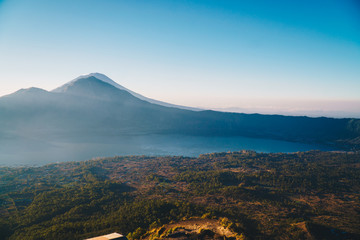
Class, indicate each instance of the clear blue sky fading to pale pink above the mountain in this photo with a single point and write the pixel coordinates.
(281, 55)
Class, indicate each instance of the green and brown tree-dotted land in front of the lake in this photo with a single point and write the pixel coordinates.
(304, 195)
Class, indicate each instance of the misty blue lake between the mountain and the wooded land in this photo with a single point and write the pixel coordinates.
(15, 152)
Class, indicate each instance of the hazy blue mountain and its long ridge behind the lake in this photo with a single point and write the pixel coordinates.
(88, 109)
